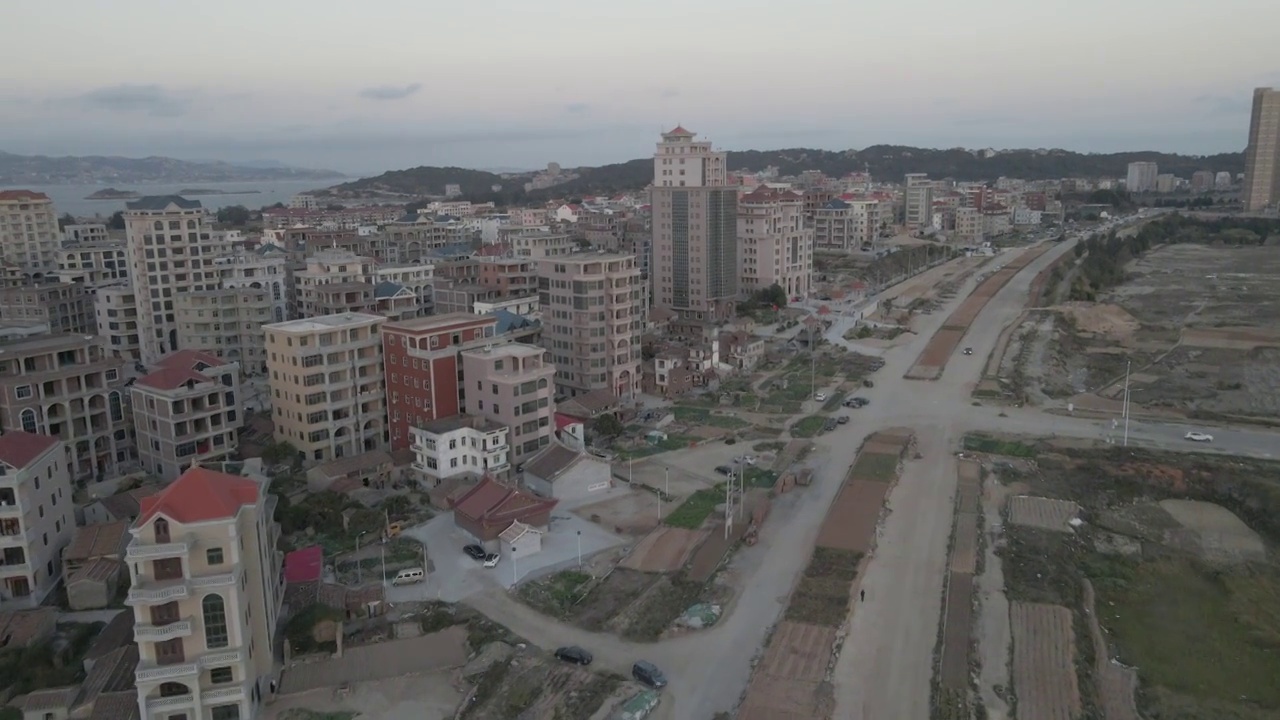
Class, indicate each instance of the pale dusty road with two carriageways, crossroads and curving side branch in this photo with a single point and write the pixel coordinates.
(886, 666)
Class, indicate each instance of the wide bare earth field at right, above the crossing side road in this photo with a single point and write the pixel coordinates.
(1201, 325)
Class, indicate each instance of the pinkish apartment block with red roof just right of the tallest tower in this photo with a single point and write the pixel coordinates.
(775, 245)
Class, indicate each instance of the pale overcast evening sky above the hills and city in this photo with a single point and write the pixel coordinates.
(378, 85)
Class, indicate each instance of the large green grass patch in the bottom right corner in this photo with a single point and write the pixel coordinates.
(1199, 632)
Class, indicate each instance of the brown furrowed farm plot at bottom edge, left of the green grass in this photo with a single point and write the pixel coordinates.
(1045, 662)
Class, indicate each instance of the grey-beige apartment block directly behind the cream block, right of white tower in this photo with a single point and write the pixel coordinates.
(228, 323)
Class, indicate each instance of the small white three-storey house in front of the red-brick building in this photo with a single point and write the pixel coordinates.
(460, 446)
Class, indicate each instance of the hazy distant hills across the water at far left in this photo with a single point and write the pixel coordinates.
(43, 170)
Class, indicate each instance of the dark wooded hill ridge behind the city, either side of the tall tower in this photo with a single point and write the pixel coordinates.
(885, 162)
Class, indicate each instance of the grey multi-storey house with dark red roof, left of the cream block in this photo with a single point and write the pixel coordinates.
(188, 411)
